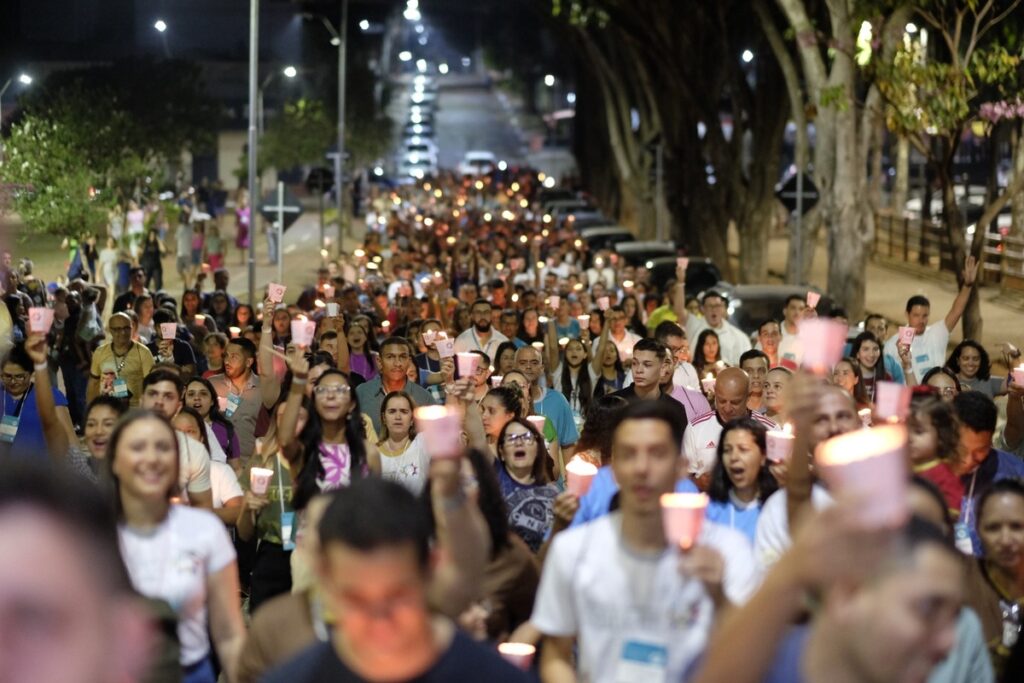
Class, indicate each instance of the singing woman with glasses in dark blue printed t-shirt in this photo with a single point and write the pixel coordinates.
(525, 473)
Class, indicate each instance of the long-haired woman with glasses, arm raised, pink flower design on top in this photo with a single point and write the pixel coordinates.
(332, 450)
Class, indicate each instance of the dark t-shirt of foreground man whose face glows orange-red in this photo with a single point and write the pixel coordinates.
(464, 662)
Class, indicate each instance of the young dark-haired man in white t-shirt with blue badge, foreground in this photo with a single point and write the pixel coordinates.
(638, 609)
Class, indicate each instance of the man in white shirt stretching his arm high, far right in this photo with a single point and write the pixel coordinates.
(930, 341)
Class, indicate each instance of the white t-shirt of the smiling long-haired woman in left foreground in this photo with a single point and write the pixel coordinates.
(174, 563)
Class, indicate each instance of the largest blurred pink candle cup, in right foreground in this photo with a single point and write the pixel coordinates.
(870, 465)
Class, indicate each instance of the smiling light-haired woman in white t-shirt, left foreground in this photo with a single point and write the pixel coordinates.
(175, 553)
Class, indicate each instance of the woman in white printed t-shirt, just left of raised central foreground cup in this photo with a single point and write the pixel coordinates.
(404, 458)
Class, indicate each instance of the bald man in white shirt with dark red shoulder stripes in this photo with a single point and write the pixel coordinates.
(733, 391)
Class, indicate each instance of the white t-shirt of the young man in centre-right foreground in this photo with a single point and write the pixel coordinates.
(619, 604)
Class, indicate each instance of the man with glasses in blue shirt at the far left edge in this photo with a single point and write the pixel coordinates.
(22, 430)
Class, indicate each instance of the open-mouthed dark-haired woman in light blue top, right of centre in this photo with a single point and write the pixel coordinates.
(741, 482)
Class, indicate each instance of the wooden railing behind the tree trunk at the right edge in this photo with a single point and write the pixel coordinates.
(926, 245)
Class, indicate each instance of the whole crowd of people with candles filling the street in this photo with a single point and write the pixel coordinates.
(200, 488)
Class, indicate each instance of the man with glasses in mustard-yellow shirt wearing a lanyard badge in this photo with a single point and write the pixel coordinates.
(119, 366)
